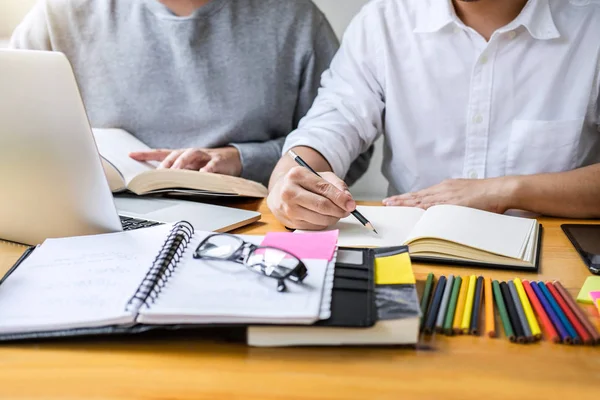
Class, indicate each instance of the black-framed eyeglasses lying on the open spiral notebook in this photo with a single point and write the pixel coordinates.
(268, 261)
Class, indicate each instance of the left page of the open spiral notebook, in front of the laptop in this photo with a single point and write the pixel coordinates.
(78, 282)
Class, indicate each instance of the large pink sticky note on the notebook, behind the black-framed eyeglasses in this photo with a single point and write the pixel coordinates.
(315, 245)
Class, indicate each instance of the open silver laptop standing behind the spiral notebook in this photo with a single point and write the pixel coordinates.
(52, 183)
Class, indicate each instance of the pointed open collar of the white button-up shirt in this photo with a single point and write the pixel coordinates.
(536, 17)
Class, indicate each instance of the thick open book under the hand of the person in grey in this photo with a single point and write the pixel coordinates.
(124, 173)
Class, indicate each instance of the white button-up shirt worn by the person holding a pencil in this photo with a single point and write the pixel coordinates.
(452, 105)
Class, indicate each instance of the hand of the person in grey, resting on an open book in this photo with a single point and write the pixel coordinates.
(225, 160)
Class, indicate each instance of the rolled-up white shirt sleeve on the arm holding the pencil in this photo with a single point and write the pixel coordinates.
(347, 116)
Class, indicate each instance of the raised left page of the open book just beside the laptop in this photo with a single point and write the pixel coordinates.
(115, 145)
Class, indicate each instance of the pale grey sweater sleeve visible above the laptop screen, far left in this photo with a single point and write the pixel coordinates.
(33, 32)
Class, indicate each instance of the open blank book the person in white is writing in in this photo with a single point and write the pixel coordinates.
(449, 234)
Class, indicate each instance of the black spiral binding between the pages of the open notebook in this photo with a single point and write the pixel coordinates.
(163, 266)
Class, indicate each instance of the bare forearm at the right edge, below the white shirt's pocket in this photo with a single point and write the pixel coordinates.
(573, 194)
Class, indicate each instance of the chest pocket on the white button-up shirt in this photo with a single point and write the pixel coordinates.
(537, 147)
